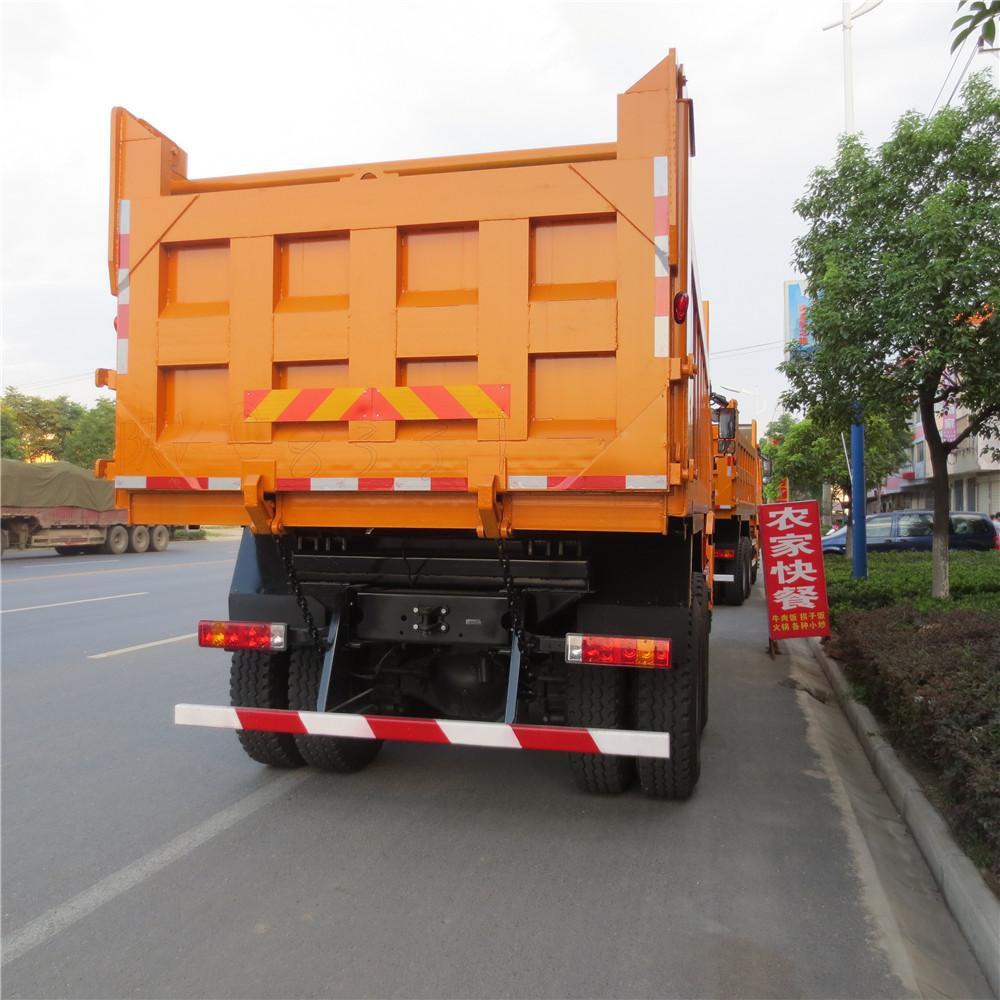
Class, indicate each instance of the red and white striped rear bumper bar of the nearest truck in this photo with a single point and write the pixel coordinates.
(625, 743)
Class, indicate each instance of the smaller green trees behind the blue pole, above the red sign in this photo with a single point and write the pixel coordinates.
(810, 454)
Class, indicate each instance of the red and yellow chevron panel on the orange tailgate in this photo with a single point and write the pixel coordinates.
(400, 402)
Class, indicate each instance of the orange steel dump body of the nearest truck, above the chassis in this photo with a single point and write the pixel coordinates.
(497, 319)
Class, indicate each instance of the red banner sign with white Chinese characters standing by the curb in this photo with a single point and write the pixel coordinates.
(793, 566)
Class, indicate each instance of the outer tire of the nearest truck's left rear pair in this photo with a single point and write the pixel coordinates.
(260, 680)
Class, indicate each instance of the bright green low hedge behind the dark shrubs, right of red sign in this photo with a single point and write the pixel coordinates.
(904, 577)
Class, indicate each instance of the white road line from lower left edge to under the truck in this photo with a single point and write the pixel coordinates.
(56, 920)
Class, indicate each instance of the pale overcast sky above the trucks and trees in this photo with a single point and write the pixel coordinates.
(253, 86)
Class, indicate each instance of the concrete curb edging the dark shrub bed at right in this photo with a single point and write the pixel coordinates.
(972, 903)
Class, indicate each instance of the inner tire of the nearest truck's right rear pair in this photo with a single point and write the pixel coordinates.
(599, 697)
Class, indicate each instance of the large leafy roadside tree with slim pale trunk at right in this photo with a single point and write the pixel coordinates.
(902, 259)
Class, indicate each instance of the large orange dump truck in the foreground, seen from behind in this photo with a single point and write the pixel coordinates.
(461, 408)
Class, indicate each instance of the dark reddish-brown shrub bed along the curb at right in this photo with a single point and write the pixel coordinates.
(934, 678)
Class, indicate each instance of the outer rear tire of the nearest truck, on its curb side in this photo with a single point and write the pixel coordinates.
(668, 701)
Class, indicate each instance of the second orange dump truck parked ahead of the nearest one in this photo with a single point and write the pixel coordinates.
(738, 491)
